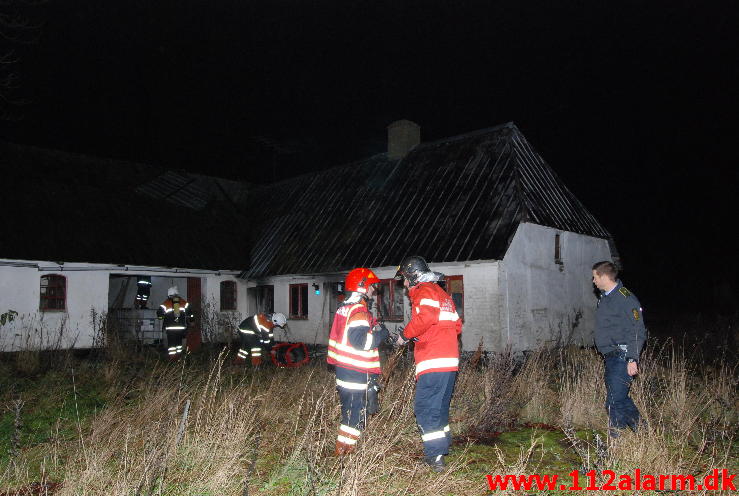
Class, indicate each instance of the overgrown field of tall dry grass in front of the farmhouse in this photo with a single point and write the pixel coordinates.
(131, 423)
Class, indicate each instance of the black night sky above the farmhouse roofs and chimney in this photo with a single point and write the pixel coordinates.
(633, 103)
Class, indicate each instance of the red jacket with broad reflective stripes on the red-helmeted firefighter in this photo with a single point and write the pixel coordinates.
(352, 344)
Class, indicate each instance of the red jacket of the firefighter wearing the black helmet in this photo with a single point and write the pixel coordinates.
(435, 324)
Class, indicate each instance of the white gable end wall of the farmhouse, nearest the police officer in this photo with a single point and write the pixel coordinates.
(549, 302)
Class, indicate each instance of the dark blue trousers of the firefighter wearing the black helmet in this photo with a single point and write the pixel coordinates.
(433, 396)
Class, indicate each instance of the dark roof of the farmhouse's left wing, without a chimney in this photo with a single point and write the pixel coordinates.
(66, 207)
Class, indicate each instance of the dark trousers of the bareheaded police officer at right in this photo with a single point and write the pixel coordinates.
(622, 411)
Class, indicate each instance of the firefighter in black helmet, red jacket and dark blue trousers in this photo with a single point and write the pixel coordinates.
(434, 326)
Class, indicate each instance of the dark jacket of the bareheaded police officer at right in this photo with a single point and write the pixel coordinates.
(619, 323)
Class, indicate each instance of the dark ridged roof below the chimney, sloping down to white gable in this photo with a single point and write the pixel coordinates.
(457, 199)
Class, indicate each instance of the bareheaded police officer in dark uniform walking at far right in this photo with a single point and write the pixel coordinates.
(619, 335)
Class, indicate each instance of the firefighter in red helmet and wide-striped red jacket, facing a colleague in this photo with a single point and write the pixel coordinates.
(352, 349)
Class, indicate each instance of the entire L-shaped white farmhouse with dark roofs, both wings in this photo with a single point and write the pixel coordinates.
(484, 208)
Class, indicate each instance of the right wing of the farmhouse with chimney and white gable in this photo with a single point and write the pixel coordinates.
(483, 208)
